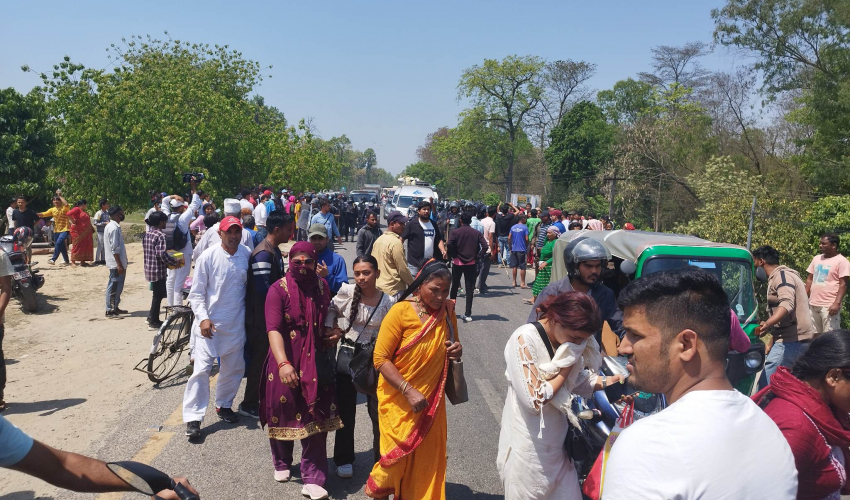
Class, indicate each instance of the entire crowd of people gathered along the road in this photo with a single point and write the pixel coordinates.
(309, 341)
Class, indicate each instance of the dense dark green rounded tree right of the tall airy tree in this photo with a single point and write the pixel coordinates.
(580, 146)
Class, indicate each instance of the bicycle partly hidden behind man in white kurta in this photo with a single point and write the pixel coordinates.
(168, 344)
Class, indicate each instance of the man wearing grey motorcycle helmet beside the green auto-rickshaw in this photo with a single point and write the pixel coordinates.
(585, 259)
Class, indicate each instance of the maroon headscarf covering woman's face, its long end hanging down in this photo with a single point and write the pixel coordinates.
(309, 297)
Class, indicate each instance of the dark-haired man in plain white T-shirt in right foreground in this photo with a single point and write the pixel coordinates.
(711, 441)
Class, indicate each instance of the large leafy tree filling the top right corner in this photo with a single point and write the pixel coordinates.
(802, 46)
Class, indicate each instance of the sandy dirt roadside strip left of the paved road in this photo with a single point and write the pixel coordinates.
(69, 368)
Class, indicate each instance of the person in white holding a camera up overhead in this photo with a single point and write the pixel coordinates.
(178, 225)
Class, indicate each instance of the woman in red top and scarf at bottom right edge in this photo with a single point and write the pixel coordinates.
(811, 405)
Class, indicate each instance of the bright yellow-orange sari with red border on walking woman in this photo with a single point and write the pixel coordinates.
(413, 445)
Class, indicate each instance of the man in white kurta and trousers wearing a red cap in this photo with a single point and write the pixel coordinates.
(218, 301)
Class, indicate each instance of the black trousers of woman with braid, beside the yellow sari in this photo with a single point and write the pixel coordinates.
(346, 399)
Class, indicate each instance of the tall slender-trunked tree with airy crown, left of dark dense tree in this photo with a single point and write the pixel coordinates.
(505, 92)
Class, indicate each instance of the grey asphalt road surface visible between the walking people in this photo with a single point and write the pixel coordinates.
(234, 460)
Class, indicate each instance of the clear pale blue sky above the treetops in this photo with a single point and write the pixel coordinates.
(383, 73)
